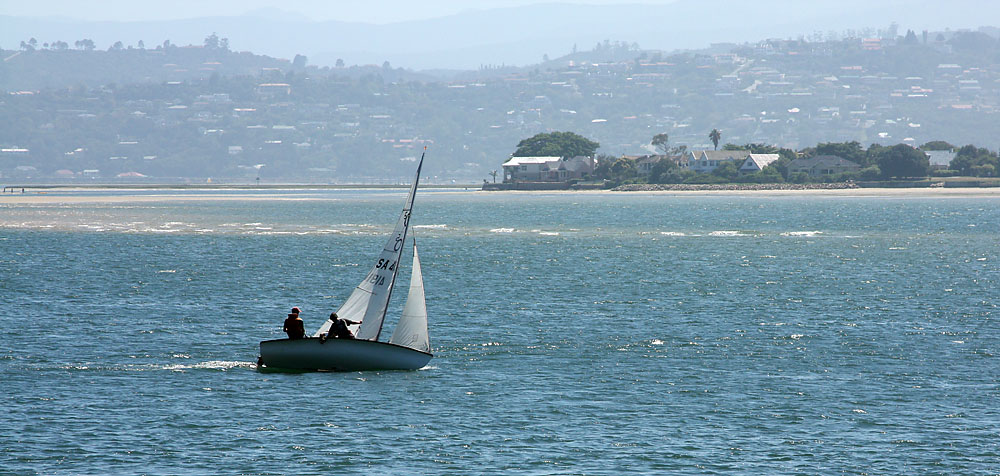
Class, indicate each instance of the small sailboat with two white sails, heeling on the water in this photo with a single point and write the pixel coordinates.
(409, 346)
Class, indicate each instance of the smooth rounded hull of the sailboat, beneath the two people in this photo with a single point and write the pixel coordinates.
(339, 355)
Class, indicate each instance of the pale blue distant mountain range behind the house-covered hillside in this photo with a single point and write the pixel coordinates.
(516, 35)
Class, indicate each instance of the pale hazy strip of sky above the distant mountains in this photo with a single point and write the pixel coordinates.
(372, 11)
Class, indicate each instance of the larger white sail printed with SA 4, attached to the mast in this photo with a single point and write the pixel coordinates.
(369, 300)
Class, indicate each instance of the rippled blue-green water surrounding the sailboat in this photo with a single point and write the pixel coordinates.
(573, 334)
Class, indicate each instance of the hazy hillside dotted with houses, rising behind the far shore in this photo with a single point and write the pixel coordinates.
(207, 111)
